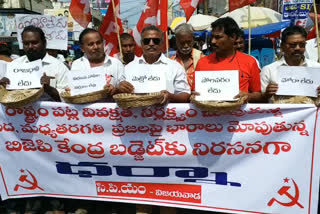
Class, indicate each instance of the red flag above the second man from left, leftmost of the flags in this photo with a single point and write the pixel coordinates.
(80, 12)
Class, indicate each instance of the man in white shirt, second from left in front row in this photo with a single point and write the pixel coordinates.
(92, 45)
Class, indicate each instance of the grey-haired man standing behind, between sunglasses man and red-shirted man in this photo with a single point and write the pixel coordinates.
(186, 55)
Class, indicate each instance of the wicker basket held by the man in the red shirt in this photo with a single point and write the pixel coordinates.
(216, 106)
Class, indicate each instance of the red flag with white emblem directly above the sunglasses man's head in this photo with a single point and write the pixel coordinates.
(154, 13)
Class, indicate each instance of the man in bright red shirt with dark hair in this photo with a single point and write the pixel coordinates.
(225, 57)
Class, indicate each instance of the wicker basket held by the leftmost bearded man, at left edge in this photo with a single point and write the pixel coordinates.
(19, 98)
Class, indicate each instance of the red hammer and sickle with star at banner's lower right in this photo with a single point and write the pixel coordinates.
(284, 191)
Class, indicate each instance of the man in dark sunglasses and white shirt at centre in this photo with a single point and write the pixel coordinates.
(178, 89)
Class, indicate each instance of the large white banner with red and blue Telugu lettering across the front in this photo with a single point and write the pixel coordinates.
(259, 159)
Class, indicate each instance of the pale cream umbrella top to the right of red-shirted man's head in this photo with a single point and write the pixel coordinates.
(259, 16)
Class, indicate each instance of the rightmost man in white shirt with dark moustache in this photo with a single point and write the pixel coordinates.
(293, 42)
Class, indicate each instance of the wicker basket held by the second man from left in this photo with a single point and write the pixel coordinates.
(85, 98)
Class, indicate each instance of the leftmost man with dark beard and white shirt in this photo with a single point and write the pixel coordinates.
(54, 77)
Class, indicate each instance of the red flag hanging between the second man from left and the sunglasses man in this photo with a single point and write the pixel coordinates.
(108, 28)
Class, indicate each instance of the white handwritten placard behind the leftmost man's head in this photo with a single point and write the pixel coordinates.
(55, 29)
